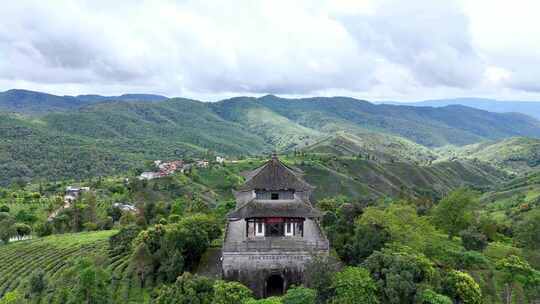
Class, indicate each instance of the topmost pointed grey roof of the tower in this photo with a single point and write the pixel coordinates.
(274, 175)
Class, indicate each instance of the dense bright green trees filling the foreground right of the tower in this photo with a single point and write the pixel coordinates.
(414, 253)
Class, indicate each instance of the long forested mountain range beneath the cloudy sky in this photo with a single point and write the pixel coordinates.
(77, 137)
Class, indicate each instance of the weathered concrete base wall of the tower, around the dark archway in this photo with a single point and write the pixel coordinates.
(254, 268)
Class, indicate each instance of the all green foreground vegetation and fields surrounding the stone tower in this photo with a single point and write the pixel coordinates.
(466, 246)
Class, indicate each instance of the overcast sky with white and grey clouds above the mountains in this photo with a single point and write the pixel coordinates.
(375, 50)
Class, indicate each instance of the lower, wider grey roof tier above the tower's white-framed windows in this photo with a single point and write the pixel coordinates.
(271, 208)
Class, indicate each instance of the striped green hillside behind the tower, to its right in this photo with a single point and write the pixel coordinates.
(361, 178)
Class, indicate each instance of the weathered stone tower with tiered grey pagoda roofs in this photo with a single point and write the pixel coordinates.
(273, 231)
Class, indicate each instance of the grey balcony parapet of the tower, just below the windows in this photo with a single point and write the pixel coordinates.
(275, 244)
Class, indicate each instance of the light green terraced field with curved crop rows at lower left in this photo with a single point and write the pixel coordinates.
(19, 259)
